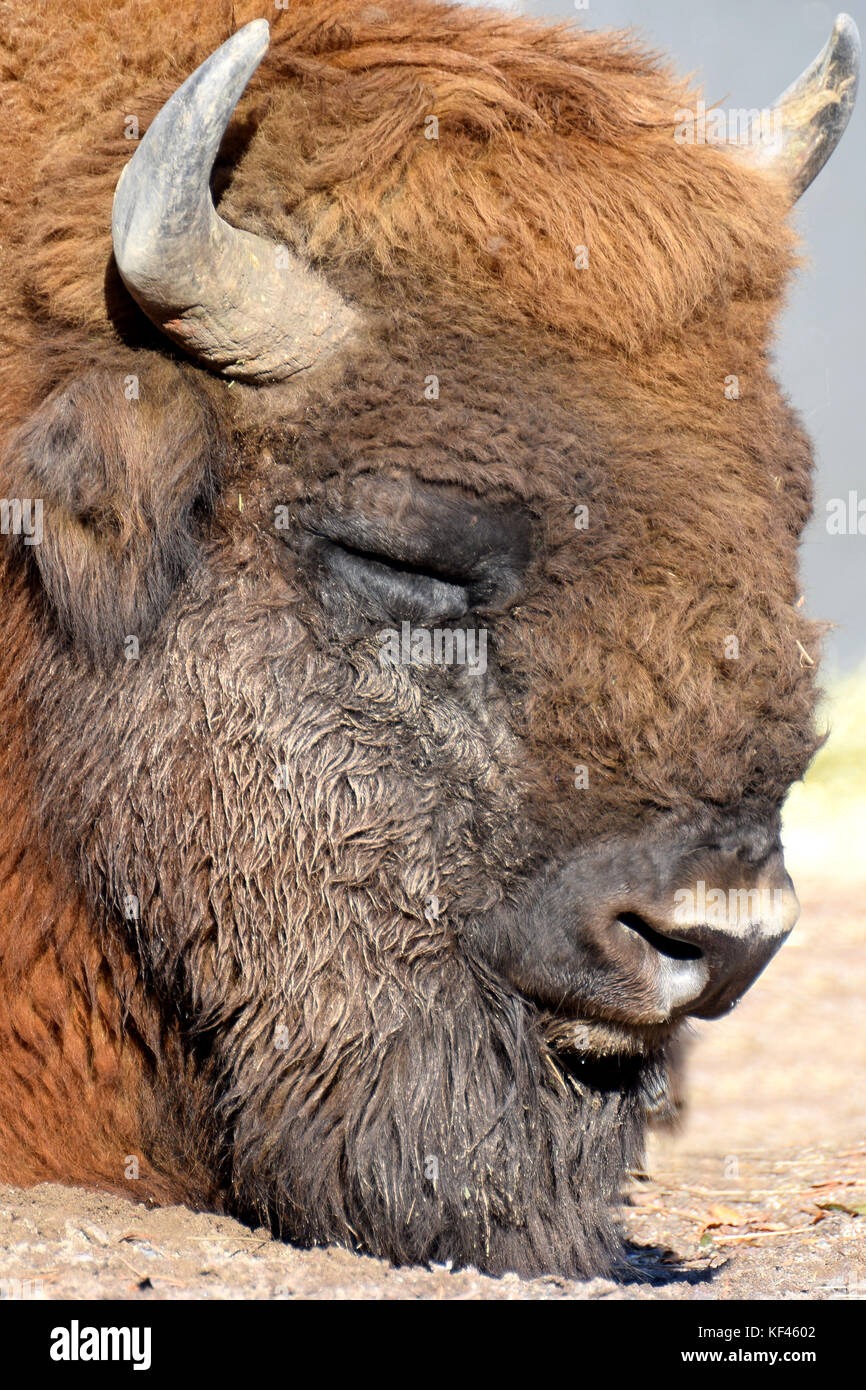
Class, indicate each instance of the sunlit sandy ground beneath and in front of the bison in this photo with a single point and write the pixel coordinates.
(761, 1195)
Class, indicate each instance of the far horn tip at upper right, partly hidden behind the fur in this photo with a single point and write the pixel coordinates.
(811, 116)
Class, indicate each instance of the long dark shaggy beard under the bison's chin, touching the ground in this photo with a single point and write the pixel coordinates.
(464, 1139)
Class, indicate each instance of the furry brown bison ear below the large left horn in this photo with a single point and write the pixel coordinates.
(120, 473)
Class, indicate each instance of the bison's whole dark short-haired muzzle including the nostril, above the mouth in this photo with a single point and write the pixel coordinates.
(647, 929)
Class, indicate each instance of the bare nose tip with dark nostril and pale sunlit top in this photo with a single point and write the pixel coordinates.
(703, 954)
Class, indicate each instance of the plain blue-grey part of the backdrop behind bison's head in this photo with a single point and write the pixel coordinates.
(746, 54)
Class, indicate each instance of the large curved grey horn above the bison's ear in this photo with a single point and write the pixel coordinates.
(237, 302)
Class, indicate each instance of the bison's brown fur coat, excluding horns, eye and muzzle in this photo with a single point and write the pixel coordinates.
(558, 387)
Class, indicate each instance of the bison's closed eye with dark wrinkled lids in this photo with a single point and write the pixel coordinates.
(401, 550)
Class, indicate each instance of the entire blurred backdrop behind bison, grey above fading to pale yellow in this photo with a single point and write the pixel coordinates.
(744, 55)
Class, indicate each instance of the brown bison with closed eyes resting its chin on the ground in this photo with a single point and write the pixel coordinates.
(402, 667)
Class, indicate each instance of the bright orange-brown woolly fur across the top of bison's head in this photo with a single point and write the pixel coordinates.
(548, 140)
